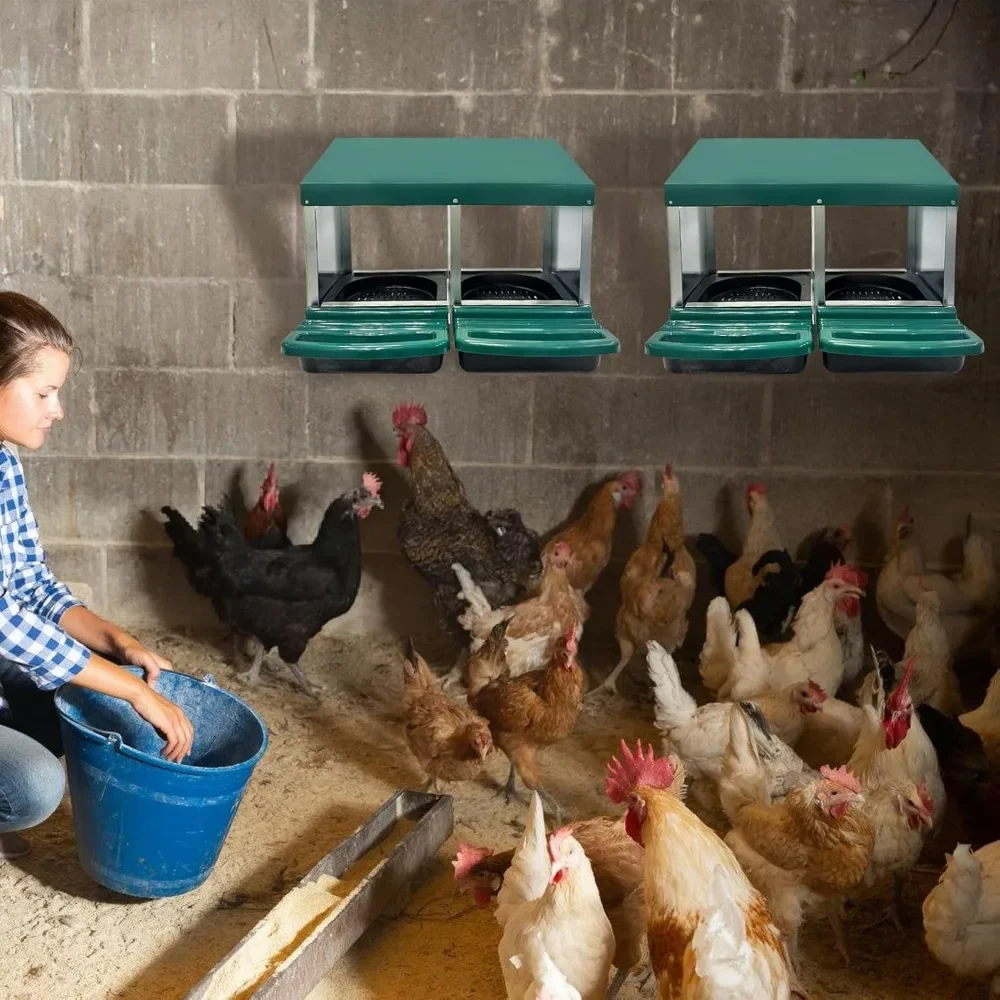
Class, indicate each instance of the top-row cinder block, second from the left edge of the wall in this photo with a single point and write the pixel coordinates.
(176, 45)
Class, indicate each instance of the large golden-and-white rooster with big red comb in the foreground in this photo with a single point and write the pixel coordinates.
(709, 931)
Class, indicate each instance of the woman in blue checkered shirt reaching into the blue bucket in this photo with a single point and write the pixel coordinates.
(47, 637)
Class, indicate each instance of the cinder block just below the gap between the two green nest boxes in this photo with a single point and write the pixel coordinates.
(632, 421)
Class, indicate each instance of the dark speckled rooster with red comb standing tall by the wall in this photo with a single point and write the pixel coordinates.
(438, 527)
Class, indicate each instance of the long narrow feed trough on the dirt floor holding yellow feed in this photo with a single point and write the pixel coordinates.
(368, 875)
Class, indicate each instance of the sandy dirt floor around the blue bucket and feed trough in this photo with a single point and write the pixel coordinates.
(329, 765)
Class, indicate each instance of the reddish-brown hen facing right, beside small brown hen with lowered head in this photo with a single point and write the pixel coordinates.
(532, 711)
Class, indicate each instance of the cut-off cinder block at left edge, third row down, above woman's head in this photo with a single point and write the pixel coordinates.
(40, 231)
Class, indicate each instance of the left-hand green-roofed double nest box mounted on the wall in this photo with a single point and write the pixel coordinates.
(505, 319)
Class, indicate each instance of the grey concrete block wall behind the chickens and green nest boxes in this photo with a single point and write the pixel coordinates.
(149, 161)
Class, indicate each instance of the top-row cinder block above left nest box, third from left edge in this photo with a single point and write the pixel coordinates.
(473, 46)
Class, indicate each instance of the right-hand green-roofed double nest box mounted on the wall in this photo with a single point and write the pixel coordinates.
(865, 320)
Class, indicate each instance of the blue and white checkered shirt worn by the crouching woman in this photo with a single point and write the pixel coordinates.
(31, 599)
